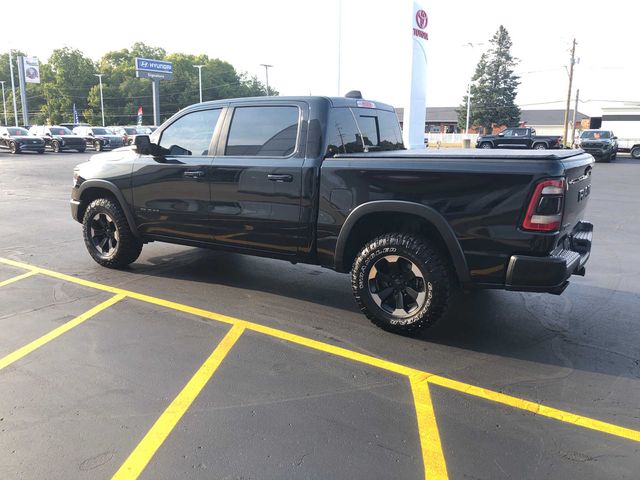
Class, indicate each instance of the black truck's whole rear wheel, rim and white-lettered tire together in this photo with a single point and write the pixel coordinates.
(401, 283)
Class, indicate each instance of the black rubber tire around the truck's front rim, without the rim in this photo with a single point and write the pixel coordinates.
(127, 248)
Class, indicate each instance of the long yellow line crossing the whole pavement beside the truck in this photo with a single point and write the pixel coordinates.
(560, 415)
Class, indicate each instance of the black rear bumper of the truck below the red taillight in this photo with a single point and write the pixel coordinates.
(551, 274)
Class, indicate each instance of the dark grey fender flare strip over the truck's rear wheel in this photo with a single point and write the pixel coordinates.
(397, 206)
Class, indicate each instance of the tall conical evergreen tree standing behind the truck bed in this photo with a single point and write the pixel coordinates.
(494, 87)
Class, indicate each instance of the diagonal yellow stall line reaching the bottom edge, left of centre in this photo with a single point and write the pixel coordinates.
(146, 449)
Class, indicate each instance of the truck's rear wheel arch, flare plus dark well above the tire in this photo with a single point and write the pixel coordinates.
(374, 218)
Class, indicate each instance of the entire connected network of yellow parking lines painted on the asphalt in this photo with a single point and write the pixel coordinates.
(419, 384)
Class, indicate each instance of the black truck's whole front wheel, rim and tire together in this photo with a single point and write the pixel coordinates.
(107, 235)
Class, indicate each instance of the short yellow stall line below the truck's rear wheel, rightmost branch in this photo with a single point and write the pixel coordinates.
(435, 466)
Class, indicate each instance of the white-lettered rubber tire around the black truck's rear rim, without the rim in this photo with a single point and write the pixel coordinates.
(437, 281)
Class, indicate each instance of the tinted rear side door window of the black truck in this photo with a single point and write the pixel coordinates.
(263, 131)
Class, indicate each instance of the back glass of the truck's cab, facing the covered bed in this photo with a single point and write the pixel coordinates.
(362, 130)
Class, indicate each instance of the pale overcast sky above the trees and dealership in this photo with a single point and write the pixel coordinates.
(311, 54)
